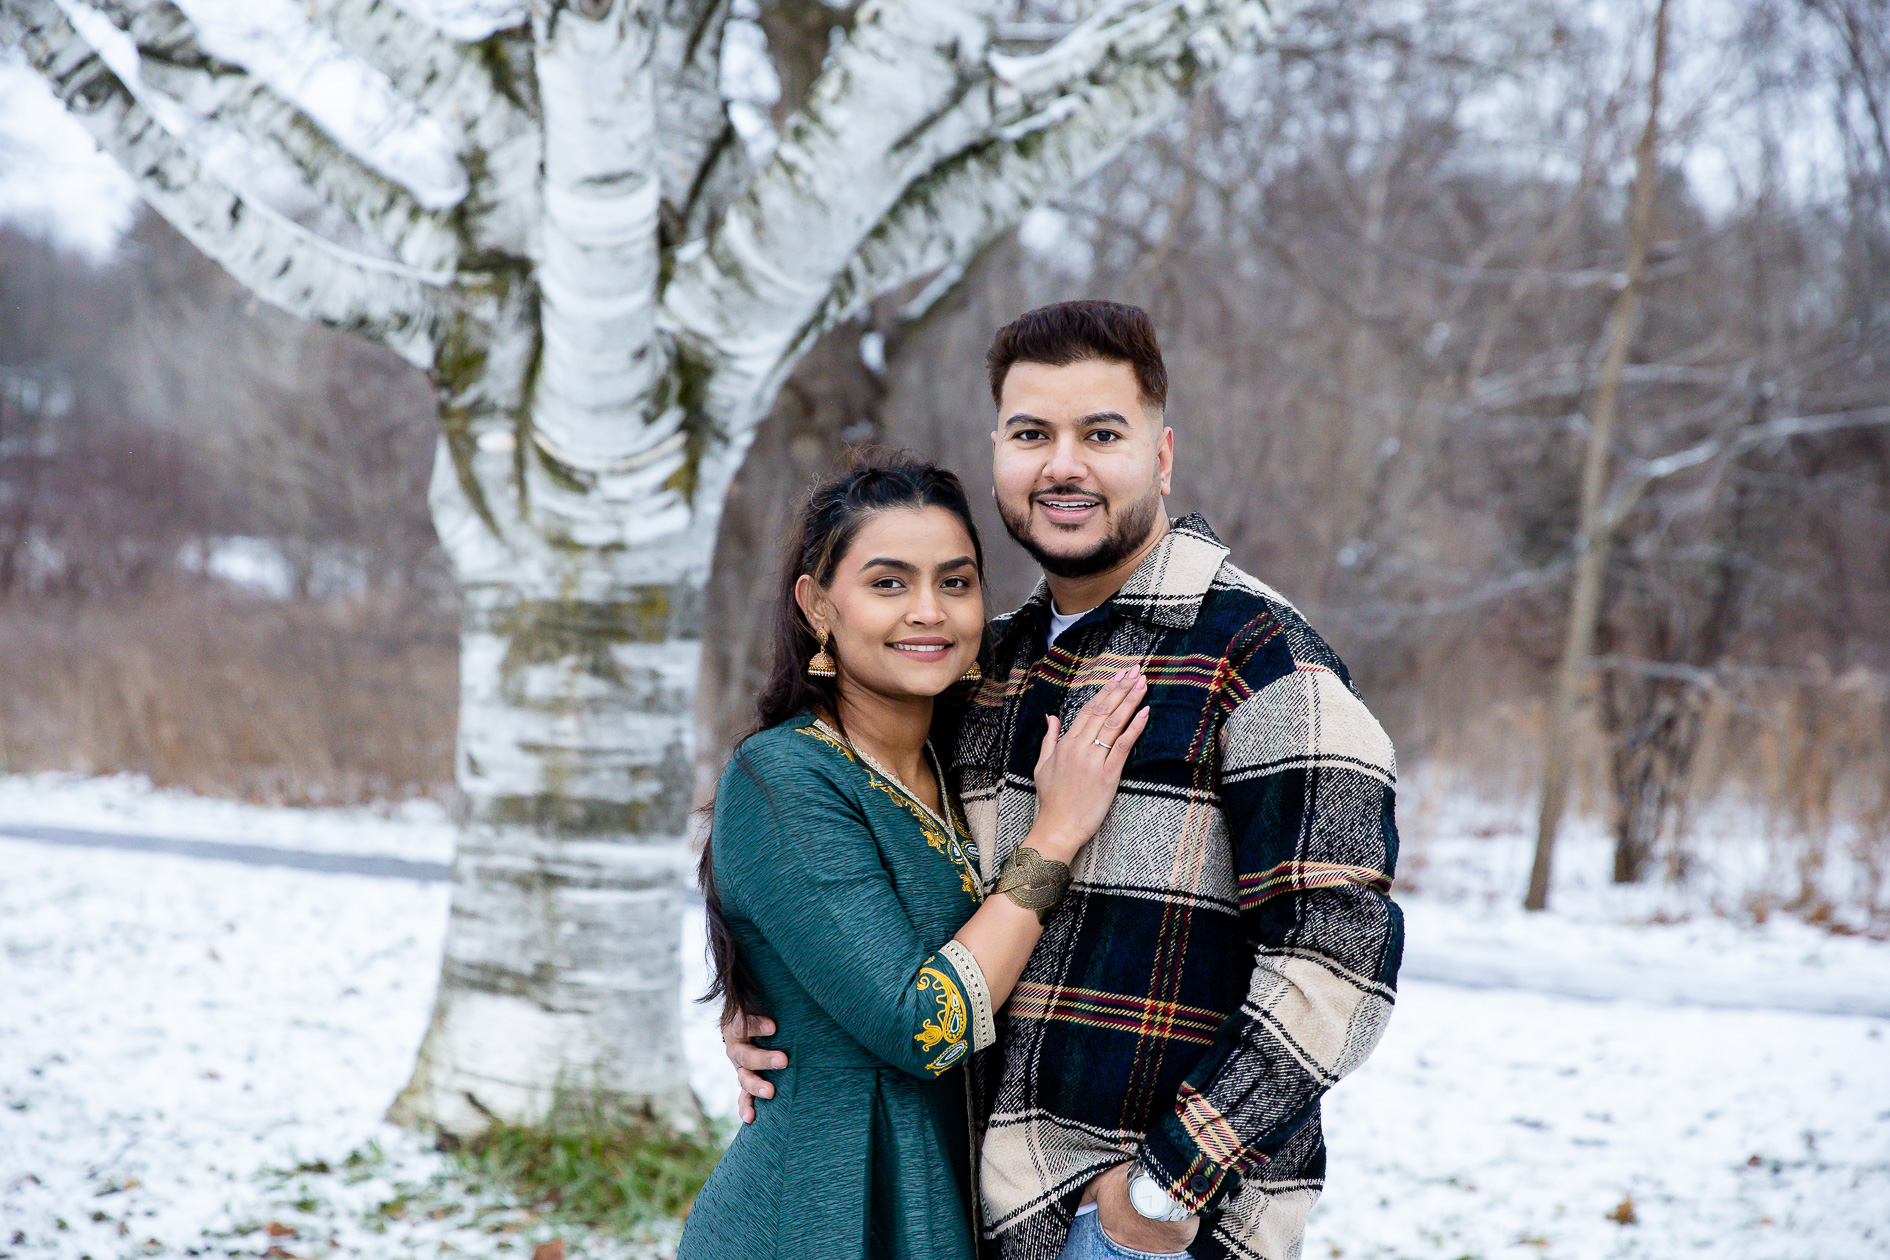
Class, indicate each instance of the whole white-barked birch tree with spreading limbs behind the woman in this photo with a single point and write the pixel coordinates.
(606, 290)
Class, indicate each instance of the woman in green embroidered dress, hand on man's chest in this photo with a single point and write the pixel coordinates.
(844, 889)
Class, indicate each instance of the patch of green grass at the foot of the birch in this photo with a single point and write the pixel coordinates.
(593, 1168)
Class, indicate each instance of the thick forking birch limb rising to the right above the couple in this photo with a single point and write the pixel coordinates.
(923, 141)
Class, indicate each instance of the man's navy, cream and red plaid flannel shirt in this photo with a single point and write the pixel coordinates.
(1228, 949)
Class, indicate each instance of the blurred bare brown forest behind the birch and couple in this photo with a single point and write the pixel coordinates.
(1383, 260)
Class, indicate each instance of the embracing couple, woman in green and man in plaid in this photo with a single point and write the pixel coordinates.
(1048, 932)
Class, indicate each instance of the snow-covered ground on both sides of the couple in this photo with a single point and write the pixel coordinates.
(179, 1036)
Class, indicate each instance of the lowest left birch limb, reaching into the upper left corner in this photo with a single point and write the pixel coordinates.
(281, 262)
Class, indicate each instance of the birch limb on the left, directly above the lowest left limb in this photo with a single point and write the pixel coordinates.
(226, 97)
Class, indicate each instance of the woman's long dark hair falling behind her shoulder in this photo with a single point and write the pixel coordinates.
(870, 481)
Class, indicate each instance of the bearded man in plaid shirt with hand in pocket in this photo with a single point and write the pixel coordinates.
(1228, 949)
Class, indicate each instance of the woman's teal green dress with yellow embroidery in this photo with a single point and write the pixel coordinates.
(844, 894)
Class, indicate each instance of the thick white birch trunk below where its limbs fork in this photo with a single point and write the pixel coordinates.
(562, 978)
